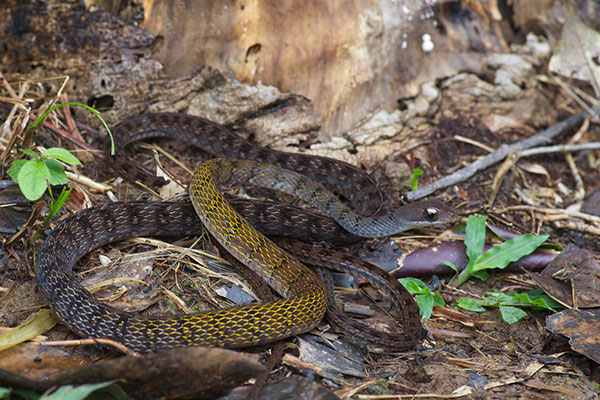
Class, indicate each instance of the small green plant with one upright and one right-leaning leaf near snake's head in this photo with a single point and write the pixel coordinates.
(497, 257)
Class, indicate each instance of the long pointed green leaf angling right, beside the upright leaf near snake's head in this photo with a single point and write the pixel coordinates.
(509, 251)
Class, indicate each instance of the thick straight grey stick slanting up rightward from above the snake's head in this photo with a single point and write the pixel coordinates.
(495, 157)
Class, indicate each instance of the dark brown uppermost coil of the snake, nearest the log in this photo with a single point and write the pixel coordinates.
(338, 177)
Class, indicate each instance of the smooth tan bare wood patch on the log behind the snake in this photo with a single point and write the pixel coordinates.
(349, 57)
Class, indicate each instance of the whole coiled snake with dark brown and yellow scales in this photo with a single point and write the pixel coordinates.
(305, 299)
